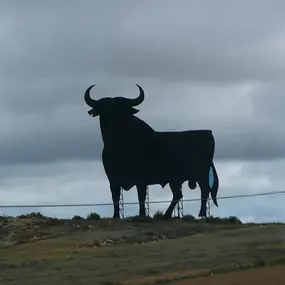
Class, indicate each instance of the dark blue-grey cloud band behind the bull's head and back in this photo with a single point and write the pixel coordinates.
(246, 126)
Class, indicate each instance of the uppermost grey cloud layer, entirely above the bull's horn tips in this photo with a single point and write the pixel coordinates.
(193, 41)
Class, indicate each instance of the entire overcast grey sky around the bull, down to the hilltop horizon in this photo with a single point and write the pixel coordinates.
(218, 65)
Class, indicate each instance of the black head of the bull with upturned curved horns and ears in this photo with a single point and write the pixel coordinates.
(117, 105)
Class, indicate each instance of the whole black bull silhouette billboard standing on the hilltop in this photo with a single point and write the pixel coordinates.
(134, 154)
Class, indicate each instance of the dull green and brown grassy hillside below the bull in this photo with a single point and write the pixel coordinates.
(45, 251)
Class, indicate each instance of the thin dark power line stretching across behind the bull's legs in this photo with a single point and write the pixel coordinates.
(135, 203)
